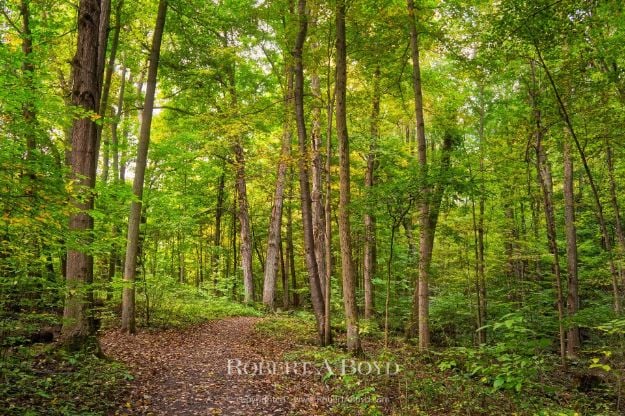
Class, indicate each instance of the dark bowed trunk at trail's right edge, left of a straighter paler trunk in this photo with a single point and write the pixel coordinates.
(316, 293)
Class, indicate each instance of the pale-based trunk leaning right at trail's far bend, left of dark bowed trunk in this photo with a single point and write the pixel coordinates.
(275, 225)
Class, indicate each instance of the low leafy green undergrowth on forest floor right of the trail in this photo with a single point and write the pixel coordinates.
(496, 380)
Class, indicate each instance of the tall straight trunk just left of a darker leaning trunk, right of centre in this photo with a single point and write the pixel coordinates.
(426, 234)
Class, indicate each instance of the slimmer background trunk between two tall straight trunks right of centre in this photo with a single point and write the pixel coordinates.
(369, 260)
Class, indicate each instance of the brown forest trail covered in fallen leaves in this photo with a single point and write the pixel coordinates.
(185, 372)
